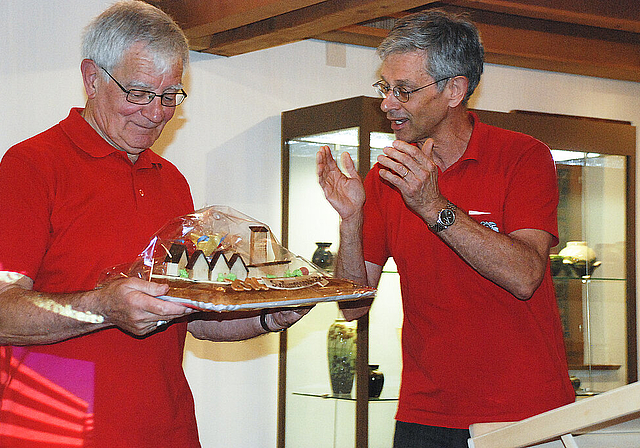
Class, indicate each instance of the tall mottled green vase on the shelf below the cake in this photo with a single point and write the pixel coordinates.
(341, 355)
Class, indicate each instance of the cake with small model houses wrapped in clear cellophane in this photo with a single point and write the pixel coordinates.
(222, 260)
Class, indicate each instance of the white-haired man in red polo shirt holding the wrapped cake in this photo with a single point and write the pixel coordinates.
(80, 197)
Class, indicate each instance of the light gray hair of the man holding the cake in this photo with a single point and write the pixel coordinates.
(108, 36)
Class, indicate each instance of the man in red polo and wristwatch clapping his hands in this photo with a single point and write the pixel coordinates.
(468, 213)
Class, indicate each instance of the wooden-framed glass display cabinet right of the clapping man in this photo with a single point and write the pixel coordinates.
(594, 264)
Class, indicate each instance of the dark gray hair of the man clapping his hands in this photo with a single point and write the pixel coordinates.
(451, 42)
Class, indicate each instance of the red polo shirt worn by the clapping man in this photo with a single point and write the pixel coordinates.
(472, 352)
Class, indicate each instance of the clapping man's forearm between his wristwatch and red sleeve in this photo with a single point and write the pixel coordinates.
(515, 262)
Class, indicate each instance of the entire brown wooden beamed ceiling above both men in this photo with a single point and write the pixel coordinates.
(589, 37)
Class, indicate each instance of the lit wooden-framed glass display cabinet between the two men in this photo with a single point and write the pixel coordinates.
(309, 414)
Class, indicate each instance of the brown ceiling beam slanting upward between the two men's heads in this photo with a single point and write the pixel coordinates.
(302, 24)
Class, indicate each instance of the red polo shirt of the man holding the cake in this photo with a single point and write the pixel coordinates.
(72, 205)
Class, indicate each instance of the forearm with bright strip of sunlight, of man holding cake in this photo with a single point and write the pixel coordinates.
(30, 317)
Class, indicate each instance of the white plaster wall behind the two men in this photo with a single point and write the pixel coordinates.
(226, 140)
